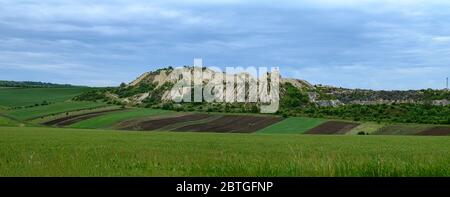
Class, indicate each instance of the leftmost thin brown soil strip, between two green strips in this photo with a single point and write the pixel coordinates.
(68, 120)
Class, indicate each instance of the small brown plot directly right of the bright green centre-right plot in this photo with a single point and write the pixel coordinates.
(333, 127)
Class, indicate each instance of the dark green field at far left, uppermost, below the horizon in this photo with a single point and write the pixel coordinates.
(14, 97)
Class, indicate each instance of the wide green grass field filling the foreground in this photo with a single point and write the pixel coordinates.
(76, 152)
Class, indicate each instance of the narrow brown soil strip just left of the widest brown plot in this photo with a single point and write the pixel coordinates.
(150, 125)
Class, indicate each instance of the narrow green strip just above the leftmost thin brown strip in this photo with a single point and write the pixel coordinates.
(55, 108)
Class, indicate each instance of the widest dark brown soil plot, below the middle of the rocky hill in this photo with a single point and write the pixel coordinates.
(233, 124)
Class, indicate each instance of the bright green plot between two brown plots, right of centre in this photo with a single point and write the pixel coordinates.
(292, 125)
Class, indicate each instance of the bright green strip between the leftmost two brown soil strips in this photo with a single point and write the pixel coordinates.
(108, 120)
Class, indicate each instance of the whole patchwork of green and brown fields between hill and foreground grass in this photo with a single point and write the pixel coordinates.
(62, 112)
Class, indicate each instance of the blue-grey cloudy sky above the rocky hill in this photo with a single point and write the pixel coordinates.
(370, 44)
